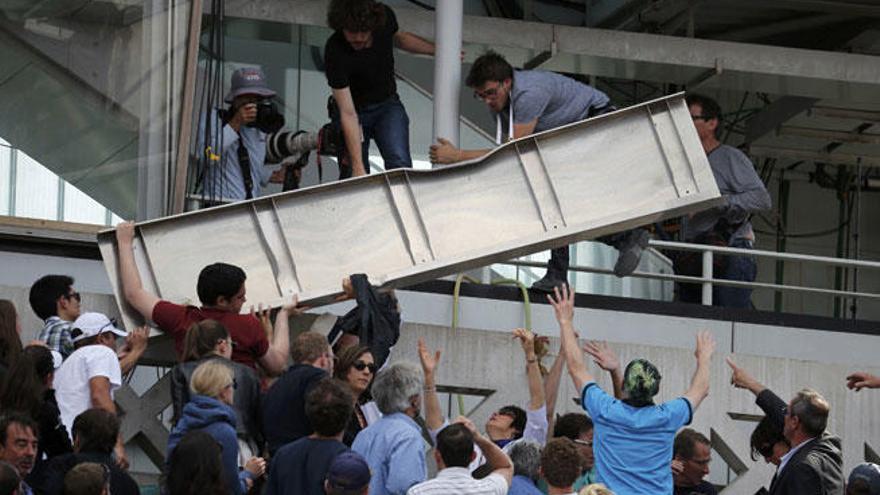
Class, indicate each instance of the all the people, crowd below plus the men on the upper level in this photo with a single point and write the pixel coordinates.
(254, 412)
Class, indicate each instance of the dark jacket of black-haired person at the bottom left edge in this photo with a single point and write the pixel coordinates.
(50, 478)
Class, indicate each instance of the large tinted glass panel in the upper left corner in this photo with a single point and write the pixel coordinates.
(93, 93)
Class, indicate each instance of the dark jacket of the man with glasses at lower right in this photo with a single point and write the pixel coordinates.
(815, 469)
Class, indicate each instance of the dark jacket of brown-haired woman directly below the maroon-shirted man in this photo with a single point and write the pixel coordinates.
(246, 400)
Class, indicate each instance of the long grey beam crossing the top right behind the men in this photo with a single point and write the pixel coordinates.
(628, 55)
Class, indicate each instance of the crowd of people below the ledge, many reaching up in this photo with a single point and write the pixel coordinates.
(339, 421)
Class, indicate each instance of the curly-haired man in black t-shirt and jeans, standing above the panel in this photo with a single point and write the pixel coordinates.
(359, 62)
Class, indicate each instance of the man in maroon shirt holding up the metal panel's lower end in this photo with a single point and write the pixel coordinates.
(221, 290)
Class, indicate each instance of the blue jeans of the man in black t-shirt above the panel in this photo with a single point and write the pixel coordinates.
(388, 124)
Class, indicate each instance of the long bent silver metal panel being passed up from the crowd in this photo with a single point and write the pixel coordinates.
(610, 173)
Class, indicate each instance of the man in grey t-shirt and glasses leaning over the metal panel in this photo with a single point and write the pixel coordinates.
(529, 101)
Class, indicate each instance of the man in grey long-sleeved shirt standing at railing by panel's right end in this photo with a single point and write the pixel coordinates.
(744, 194)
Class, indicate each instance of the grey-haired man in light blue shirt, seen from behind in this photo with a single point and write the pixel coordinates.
(393, 446)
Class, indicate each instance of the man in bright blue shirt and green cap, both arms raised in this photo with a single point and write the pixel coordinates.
(633, 436)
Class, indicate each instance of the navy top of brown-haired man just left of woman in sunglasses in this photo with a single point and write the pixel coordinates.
(284, 407)
